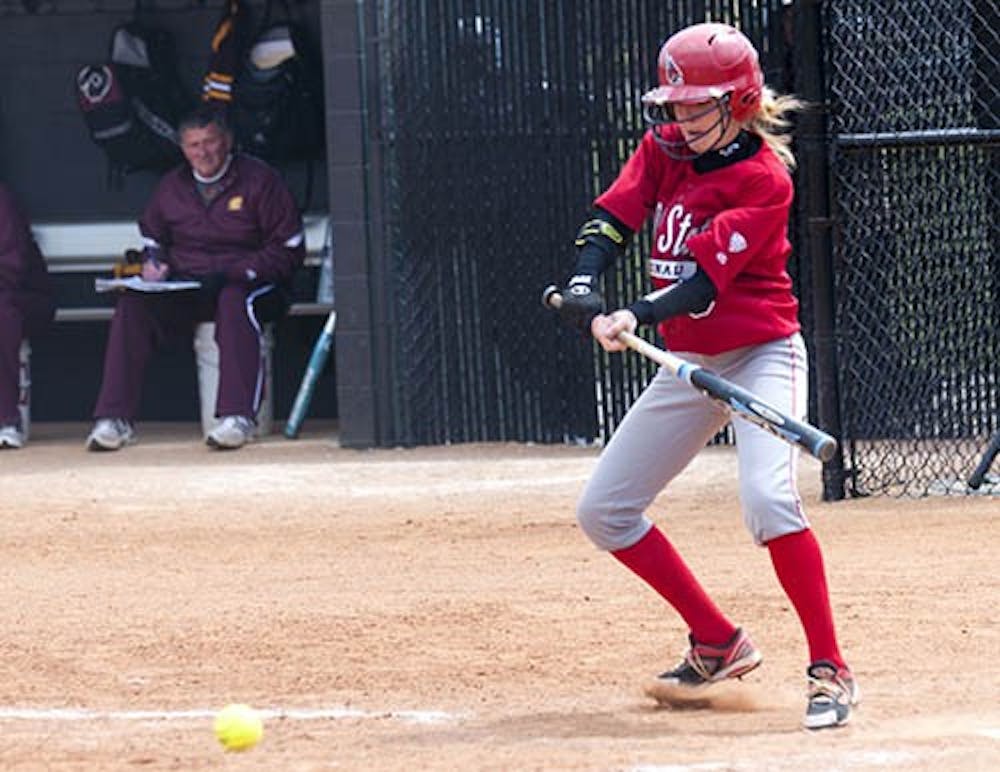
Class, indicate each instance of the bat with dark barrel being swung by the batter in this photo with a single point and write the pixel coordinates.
(742, 402)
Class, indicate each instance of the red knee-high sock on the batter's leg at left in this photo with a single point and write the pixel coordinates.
(656, 562)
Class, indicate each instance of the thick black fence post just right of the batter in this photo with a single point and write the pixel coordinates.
(814, 191)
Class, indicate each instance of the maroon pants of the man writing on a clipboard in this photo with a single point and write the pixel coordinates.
(145, 322)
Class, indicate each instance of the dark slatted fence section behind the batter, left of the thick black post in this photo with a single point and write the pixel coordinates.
(503, 119)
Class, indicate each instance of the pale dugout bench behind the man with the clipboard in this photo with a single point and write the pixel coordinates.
(78, 252)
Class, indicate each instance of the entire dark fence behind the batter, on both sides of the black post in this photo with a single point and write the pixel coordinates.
(500, 120)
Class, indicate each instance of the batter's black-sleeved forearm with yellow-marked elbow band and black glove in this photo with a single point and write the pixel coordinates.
(600, 241)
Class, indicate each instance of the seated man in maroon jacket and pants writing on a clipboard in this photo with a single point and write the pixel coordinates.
(229, 221)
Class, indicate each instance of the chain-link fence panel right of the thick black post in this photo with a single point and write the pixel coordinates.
(913, 94)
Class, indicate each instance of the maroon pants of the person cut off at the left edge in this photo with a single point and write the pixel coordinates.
(22, 315)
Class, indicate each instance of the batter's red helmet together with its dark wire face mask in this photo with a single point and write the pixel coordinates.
(705, 63)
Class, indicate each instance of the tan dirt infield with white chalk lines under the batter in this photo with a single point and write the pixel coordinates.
(439, 609)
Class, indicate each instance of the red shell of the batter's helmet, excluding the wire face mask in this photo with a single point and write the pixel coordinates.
(709, 61)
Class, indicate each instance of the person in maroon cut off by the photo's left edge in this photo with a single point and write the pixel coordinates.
(26, 309)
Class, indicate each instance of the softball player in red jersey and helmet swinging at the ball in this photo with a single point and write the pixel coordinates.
(713, 173)
